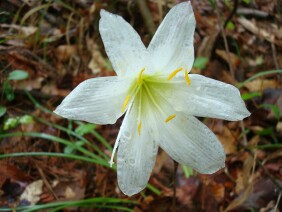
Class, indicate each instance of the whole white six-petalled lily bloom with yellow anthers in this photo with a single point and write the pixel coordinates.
(159, 98)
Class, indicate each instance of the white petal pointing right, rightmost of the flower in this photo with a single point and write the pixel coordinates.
(205, 97)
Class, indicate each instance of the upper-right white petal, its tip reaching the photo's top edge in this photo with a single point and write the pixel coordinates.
(172, 45)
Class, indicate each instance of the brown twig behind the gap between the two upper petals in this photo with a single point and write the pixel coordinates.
(147, 16)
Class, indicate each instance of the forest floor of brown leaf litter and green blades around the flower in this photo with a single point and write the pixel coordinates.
(48, 47)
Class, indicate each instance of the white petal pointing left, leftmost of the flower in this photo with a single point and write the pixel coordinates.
(97, 100)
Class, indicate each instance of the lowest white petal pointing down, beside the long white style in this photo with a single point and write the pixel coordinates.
(137, 153)
